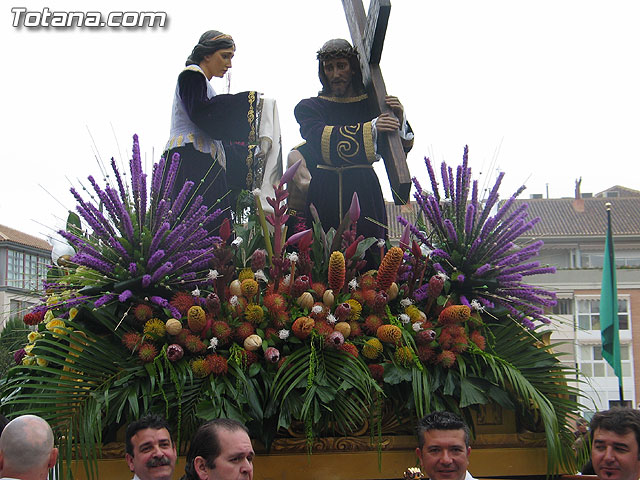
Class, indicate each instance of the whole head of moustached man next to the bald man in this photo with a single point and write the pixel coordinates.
(151, 453)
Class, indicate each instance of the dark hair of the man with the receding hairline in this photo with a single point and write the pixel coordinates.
(205, 444)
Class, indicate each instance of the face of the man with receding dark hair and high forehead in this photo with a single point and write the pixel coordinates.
(235, 461)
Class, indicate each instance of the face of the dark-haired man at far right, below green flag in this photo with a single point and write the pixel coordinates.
(614, 456)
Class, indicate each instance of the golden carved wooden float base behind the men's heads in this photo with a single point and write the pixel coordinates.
(354, 458)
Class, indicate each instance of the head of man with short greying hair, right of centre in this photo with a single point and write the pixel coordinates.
(443, 446)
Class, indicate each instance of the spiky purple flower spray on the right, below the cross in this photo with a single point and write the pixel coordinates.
(476, 244)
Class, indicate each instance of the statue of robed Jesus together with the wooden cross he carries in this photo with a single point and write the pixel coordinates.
(345, 131)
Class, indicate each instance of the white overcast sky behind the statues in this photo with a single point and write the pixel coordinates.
(546, 90)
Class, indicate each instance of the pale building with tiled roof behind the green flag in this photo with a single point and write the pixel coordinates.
(574, 231)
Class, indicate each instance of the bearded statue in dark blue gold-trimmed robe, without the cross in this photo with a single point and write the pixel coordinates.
(341, 133)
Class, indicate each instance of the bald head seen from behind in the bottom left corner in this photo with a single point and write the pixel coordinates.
(26, 449)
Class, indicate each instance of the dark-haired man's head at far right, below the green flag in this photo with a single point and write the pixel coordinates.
(614, 449)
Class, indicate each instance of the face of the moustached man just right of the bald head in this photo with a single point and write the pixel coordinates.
(154, 455)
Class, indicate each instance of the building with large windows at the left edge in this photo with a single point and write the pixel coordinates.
(23, 267)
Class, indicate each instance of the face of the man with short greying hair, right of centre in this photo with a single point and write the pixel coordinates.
(444, 455)
